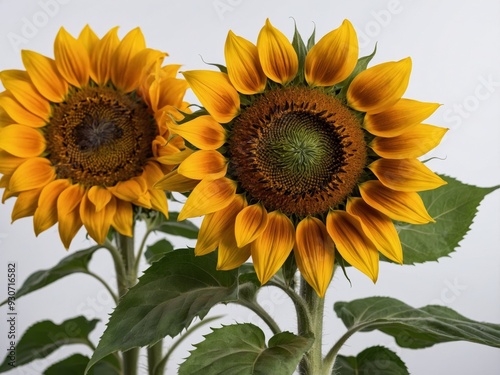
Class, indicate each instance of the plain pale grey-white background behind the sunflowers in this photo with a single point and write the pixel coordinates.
(456, 58)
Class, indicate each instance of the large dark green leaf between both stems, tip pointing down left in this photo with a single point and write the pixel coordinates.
(171, 293)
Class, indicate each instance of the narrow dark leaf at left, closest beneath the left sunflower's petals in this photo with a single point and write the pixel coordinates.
(73, 263)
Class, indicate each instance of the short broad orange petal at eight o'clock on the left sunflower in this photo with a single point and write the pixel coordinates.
(32, 174)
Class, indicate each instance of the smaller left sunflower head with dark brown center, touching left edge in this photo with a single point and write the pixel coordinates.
(83, 136)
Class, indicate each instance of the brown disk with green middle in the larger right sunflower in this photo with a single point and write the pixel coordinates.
(297, 150)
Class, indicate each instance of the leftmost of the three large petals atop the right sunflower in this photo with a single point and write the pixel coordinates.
(243, 65)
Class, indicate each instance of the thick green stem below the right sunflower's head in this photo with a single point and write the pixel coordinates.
(311, 324)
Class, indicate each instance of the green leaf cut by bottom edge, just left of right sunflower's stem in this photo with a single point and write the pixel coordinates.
(240, 349)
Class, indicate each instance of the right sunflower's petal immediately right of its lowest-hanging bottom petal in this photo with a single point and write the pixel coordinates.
(352, 243)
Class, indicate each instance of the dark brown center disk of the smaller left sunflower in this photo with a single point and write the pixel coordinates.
(99, 136)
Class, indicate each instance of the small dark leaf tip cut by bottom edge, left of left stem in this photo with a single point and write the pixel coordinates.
(76, 364)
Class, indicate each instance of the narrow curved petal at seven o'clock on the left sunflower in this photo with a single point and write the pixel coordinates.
(45, 215)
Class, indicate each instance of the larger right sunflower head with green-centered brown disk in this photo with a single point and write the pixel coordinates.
(305, 150)
